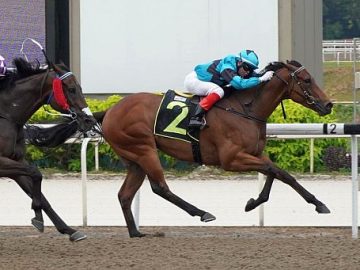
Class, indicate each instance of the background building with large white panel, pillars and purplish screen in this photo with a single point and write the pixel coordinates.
(123, 46)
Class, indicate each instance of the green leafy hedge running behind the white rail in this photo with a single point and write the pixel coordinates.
(290, 155)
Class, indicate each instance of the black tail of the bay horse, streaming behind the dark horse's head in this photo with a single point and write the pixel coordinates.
(57, 134)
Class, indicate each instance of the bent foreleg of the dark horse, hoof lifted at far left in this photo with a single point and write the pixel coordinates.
(12, 169)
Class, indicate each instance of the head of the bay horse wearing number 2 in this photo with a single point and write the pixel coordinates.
(301, 86)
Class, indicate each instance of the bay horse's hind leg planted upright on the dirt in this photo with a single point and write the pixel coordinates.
(132, 183)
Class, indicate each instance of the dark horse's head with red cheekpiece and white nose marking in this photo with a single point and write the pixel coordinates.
(60, 89)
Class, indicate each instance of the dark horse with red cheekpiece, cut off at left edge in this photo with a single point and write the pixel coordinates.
(22, 93)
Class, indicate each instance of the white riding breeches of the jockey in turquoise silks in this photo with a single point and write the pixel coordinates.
(195, 86)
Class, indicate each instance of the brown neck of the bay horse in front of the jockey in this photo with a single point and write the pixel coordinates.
(262, 100)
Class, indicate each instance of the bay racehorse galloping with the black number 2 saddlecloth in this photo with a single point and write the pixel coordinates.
(234, 139)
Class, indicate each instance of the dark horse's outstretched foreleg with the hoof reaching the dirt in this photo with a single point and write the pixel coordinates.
(26, 185)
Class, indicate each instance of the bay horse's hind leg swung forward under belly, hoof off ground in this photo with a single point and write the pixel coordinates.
(151, 165)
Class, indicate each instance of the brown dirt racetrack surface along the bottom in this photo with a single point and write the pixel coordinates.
(182, 248)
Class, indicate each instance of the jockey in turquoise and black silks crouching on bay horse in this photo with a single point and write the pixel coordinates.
(208, 80)
